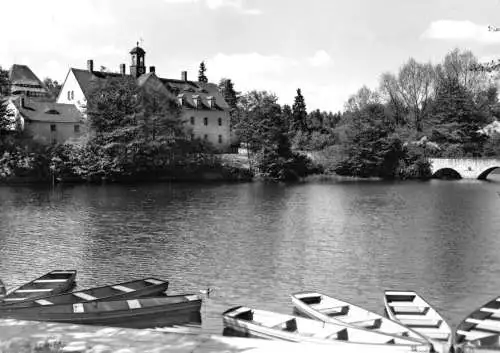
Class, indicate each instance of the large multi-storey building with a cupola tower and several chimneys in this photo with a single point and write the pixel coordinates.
(204, 109)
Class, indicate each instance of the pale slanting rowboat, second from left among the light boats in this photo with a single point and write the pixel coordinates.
(327, 309)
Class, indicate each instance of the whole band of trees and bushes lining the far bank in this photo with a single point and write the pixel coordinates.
(449, 109)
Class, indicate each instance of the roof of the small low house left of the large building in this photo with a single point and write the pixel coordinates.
(47, 111)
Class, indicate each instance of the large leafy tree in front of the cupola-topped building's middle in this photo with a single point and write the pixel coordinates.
(135, 132)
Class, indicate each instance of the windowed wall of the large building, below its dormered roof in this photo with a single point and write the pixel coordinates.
(213, 130)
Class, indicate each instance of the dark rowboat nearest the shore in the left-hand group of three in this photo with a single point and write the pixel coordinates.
(130, 313)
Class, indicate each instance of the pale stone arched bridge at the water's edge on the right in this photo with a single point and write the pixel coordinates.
(468, 168)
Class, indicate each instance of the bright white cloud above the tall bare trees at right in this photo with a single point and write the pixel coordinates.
(461, 30)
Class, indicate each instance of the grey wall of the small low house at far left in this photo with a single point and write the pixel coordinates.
(65, 132)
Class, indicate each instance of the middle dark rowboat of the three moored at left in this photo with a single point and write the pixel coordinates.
(146, 287)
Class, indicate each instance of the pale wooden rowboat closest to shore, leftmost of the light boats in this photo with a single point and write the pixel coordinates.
(269, 325)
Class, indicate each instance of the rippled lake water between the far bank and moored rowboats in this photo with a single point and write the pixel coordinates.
(256, 243)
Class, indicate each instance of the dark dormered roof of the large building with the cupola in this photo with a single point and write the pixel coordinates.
(87, 79)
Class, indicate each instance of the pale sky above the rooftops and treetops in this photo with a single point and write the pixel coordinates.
(327, 48)
